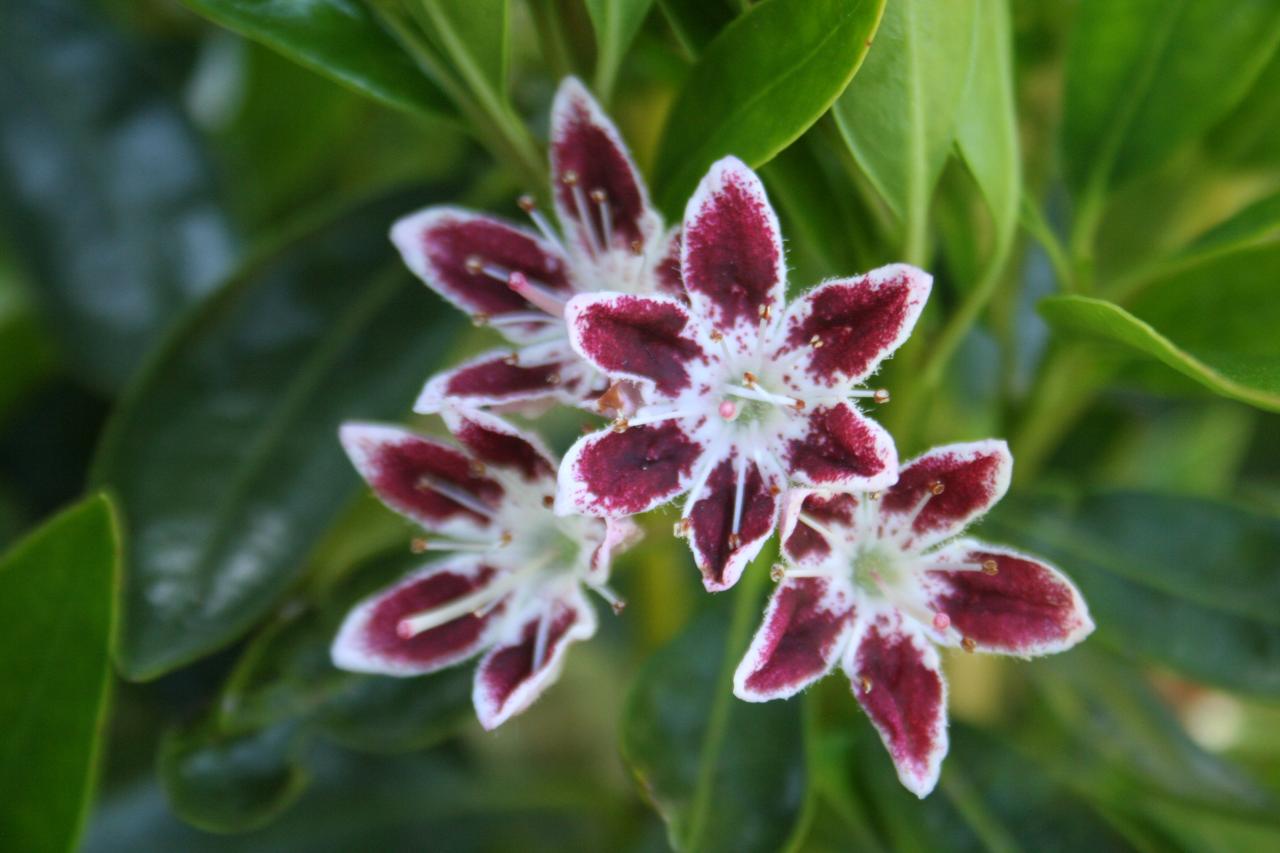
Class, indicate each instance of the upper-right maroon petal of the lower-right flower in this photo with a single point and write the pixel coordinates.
(940, 492)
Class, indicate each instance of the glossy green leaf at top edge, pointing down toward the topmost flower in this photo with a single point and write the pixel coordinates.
(339, 39)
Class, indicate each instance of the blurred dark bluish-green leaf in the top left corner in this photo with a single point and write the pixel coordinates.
(104, 188)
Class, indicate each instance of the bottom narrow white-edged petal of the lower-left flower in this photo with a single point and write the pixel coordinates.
(513, 676)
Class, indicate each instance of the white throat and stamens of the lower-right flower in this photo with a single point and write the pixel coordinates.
(884, 564)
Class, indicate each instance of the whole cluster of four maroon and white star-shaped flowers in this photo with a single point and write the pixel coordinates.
(721, 391)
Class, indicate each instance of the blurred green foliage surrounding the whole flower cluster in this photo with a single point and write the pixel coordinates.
(196, 289)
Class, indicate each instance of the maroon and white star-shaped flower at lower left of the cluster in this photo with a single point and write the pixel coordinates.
(515, 581)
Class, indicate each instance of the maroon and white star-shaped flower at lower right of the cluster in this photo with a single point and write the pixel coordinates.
(876, 582)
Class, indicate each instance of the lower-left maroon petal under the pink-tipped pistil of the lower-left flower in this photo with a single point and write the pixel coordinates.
(371, 640)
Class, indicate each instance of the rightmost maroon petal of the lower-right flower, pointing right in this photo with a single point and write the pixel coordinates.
(1005, 601)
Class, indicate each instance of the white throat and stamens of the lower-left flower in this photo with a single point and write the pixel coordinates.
(538, 555)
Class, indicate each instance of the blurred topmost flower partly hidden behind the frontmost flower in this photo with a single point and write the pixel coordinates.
(518, 280)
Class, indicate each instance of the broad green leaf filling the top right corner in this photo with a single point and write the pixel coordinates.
(1148, 76)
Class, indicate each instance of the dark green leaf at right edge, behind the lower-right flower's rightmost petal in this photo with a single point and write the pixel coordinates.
(1185, 582)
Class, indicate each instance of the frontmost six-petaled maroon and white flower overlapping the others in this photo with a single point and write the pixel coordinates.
(742, 394)
